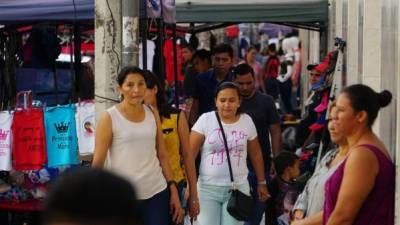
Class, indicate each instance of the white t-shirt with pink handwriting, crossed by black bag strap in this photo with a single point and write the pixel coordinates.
(214, 169)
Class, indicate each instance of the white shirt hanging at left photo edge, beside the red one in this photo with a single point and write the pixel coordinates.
(5, 140)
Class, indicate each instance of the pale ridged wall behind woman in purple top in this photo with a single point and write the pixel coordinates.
(371, 28)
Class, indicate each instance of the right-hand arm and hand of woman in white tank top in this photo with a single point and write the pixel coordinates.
(175, 204)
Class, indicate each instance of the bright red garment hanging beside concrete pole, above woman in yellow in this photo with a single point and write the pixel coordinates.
(169, 61)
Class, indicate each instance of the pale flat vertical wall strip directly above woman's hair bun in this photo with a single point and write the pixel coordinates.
(372, 61)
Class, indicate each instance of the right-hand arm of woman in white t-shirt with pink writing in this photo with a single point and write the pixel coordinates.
(254, 150)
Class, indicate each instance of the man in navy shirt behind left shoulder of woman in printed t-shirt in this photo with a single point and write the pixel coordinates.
(206, 83)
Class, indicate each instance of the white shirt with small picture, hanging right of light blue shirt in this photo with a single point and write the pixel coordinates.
(85, 125)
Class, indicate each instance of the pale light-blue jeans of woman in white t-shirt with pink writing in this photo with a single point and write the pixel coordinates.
(213, 202)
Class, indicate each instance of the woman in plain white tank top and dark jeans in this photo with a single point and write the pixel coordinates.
(129, 143)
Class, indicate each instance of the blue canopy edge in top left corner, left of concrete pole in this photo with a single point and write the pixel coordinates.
(13, 11)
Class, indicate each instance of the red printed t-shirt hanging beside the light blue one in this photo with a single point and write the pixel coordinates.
(29, 142)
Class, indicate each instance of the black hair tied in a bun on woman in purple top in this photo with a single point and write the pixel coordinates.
(363, 98)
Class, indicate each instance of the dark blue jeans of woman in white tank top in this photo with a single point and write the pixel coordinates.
(156, 209)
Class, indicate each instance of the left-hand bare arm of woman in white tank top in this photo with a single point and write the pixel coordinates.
(103, 140)
